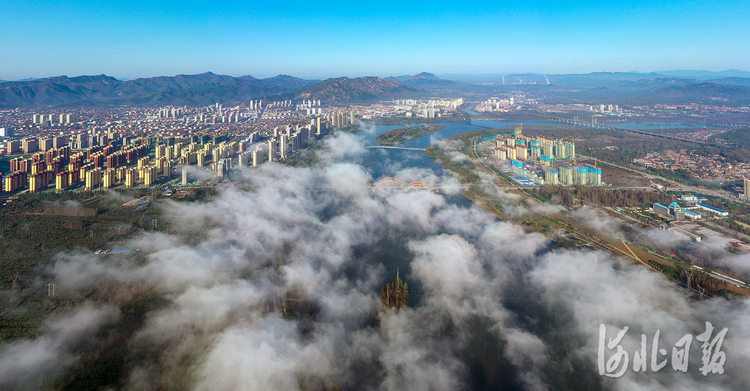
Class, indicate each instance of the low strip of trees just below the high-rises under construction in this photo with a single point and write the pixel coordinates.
(567, 195)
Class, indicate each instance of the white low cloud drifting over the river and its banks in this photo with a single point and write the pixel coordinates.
(274, 284)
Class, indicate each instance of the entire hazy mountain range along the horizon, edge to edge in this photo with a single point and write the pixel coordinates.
(729, 87)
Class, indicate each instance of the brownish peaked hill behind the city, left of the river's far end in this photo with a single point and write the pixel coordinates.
(360, 89)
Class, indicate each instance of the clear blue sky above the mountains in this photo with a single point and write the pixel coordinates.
(328, 39)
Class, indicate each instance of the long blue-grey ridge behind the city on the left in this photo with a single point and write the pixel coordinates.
(200, 89)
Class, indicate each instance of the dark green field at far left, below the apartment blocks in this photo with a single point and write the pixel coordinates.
(36, 228)
